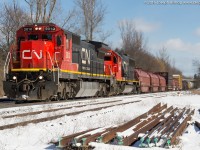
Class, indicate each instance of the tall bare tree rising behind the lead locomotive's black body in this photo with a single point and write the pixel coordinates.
(92, 14)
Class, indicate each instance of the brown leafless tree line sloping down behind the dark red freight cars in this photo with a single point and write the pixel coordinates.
(133, 44)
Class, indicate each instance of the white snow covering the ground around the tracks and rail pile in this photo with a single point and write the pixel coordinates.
(38, 136)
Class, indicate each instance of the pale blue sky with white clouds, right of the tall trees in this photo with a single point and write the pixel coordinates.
(177, 27)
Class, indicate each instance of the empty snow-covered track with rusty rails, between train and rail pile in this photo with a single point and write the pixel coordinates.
(18, 117)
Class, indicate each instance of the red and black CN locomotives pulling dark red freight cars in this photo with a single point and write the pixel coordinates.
(50, 63)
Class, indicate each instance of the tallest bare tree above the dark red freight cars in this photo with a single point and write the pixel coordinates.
(133, 44)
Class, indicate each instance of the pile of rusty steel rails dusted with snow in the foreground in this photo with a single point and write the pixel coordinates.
(160, 126)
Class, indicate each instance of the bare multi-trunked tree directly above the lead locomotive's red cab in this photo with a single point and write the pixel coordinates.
(45, 11)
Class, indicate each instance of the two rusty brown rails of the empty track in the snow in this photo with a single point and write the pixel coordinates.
(39, 120)
